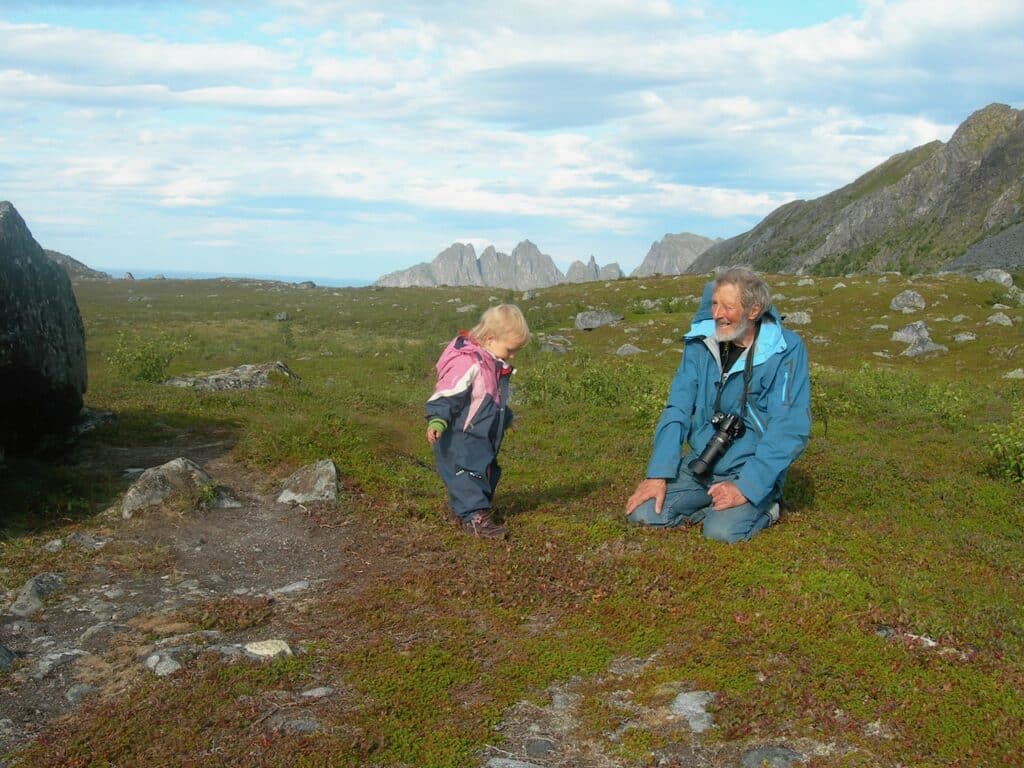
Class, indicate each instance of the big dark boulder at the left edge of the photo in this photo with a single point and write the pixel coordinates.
(42, 340)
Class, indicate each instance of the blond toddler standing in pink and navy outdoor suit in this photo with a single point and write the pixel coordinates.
(468, 413)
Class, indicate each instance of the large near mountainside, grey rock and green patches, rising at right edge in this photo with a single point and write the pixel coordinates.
(918, 211)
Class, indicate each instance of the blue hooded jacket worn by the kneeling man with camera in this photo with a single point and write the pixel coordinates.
(778, 415)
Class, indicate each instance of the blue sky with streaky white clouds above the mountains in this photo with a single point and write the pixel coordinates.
(346, 140)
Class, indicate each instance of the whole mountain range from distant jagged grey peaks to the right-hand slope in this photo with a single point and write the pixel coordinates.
(943, 206)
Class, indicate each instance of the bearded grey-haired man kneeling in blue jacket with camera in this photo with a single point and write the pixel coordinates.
(741, 402)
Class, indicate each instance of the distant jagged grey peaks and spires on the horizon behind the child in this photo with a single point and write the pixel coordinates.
(525, 269)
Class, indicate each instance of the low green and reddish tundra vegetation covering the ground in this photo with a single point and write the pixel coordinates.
(903, 521)
